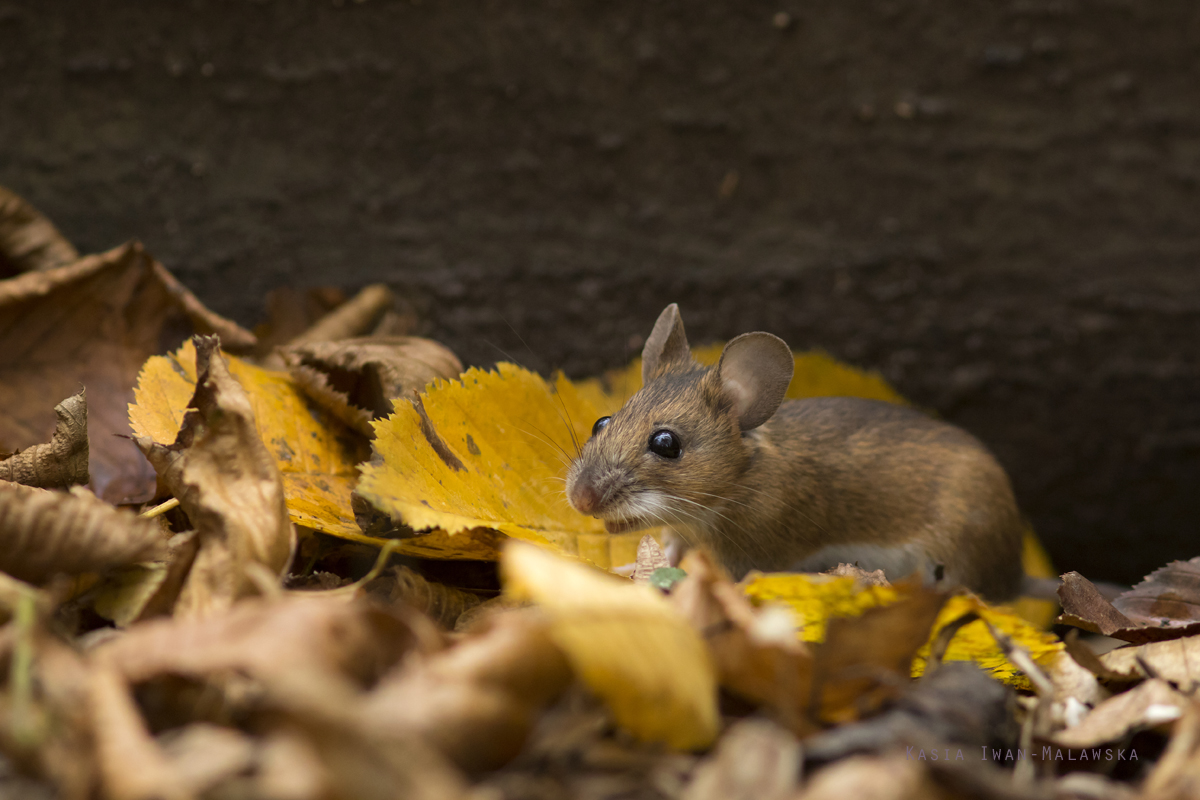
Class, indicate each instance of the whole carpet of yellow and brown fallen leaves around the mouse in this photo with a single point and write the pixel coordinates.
(313, 606)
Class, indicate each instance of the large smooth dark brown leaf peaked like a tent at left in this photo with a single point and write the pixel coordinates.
(92, 323)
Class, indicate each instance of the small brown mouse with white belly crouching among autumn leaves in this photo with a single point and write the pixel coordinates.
(718, 456)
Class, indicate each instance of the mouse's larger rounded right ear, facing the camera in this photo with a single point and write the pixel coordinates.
(754, 374)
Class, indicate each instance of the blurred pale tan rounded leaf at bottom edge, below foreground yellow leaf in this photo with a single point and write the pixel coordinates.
(755, 760)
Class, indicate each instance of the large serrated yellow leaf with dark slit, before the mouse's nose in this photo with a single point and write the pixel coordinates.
(491, 452)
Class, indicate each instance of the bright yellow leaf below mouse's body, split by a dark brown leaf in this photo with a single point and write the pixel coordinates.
(818, 598)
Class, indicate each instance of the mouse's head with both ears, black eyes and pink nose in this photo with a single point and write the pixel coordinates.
(673, 452)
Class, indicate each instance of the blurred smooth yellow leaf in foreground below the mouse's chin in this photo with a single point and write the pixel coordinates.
(627, 643)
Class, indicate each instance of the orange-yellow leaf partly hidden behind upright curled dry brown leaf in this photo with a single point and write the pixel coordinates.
(316, 454)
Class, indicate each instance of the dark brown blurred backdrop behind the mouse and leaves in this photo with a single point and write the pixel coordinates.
(993, 203)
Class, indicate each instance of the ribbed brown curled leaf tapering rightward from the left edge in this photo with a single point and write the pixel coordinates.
(45, 533)
